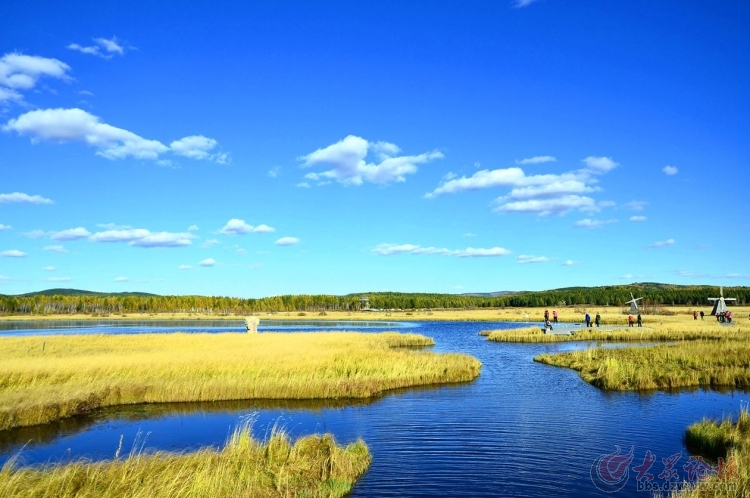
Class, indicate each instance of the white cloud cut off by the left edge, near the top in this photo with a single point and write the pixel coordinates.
(22, 72)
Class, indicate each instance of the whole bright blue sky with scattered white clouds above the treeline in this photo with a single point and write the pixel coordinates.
(260, 148)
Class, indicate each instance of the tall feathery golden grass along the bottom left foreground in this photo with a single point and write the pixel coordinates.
(312, 466)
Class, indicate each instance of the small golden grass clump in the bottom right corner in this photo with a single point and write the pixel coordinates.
(729, 441)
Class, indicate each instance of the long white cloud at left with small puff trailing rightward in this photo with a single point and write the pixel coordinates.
(77, 125)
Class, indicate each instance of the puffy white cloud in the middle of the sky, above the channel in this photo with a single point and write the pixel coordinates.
(347, 157)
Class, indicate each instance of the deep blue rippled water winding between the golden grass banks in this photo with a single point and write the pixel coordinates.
(520, 429)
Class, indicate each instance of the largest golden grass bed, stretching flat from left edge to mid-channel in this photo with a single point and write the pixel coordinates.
(47, 378)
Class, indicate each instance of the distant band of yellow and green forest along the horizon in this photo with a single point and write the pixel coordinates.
(69, 301)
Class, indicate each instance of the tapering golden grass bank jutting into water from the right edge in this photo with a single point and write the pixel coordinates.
(718, 361)
